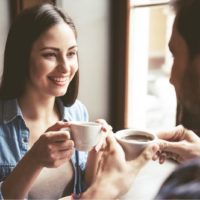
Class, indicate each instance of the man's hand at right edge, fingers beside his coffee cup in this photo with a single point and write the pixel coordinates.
(178, 144)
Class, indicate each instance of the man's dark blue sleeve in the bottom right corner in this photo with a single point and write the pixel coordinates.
(183, 183)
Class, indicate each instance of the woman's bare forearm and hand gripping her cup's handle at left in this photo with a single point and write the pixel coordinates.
(52, 149)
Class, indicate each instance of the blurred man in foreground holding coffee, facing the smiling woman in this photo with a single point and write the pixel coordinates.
(180, 144)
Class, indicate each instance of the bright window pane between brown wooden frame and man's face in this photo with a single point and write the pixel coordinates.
(151, 98)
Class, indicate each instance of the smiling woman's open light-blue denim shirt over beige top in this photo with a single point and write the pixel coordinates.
(14, 135)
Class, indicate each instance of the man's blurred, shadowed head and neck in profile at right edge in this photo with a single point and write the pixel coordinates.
(185, 75)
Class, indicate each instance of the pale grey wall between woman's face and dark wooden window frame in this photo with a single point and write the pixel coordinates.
(91, 18)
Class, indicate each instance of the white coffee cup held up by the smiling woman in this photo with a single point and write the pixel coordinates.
(85, 134)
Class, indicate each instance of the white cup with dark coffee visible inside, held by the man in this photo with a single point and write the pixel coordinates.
(134, 141)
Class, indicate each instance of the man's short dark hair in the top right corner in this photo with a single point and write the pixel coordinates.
(187, 23)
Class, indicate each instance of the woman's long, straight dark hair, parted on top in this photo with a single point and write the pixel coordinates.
(25, 30)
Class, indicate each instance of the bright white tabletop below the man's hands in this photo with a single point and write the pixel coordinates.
(149, 180)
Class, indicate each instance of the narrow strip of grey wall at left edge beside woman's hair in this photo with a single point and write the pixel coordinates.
(4, 26)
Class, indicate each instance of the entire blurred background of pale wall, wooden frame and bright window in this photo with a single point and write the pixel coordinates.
(124, 59)
